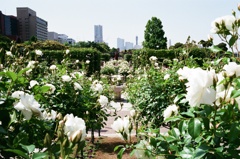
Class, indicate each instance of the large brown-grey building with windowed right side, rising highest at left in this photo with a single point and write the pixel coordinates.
(31, 25)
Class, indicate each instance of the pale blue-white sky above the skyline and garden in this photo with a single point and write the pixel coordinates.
(127, 19)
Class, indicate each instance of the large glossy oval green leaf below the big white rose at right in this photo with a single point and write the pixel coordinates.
(194, 127)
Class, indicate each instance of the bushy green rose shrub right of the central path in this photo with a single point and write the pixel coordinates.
(156, 93)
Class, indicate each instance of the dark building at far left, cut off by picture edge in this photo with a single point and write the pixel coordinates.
(9, 26)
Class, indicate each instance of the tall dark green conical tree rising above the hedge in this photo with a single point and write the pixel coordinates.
(154, 35)
